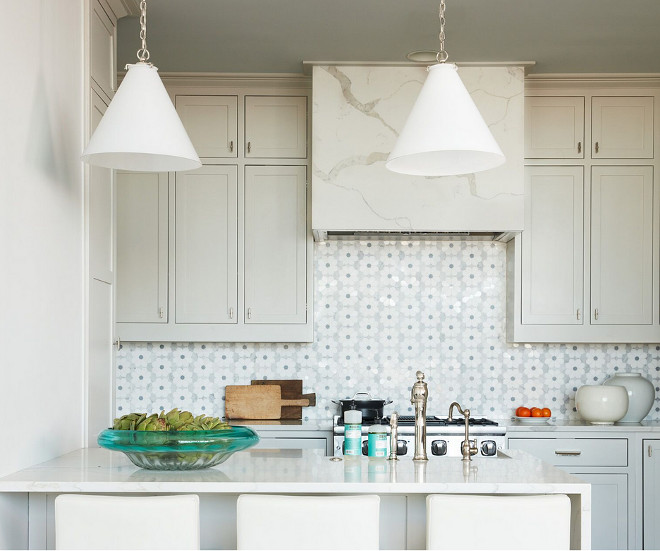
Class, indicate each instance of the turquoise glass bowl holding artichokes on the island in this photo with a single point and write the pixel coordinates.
(178, 450)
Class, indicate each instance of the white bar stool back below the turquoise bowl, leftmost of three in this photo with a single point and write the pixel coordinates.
(117, 522)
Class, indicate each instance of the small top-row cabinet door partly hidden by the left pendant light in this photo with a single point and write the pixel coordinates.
(211, 123)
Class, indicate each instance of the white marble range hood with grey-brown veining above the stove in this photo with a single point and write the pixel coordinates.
(357, 114)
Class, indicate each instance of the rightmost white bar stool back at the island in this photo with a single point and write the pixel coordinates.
(498, 522)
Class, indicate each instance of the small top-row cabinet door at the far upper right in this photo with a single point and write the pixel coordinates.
(622, 127)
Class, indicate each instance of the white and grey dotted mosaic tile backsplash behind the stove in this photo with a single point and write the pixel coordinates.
(383, 310)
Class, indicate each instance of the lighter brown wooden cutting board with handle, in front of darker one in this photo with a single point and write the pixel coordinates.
(256, 402)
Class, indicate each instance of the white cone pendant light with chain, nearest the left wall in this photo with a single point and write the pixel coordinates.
(141, 130)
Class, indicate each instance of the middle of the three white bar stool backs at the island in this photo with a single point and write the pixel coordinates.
(307, 522)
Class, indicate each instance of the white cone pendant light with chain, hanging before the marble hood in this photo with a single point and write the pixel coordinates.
(444, 134)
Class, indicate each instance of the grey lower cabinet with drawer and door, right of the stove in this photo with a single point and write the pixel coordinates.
(602, 462)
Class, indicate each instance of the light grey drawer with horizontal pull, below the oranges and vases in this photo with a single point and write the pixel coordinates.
(587, 452)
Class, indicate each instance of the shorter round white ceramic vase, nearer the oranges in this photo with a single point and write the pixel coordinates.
(601, 405)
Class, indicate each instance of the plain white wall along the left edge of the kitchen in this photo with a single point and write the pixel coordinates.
(41, 237)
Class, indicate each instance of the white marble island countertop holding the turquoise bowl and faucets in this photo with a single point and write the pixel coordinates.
(296, 471)
